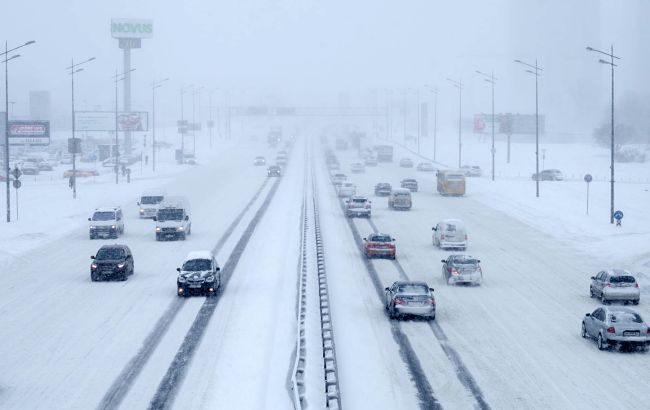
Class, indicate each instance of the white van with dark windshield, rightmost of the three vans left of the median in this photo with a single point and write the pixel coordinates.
(173, 219)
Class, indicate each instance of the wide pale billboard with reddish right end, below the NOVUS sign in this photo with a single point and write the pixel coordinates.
(105, 121)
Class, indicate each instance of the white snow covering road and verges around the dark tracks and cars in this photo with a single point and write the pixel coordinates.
(66, 340)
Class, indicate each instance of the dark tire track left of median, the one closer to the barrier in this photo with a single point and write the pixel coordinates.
(171, 382)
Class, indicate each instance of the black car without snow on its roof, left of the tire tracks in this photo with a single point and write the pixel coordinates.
(112, 262)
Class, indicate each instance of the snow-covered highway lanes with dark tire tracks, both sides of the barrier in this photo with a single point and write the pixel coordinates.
(513, 342)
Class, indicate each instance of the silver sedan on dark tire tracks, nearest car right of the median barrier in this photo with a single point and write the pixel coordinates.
(410, 298)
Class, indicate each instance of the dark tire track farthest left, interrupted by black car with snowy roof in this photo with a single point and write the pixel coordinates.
(122, 384)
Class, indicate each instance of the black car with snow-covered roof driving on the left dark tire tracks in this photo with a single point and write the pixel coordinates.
(200, 274)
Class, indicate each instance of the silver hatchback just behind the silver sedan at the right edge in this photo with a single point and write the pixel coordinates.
(615, 285)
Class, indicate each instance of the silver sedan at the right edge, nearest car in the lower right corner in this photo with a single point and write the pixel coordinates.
(616, 325)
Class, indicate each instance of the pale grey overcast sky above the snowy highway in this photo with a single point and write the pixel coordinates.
(305, 51)
